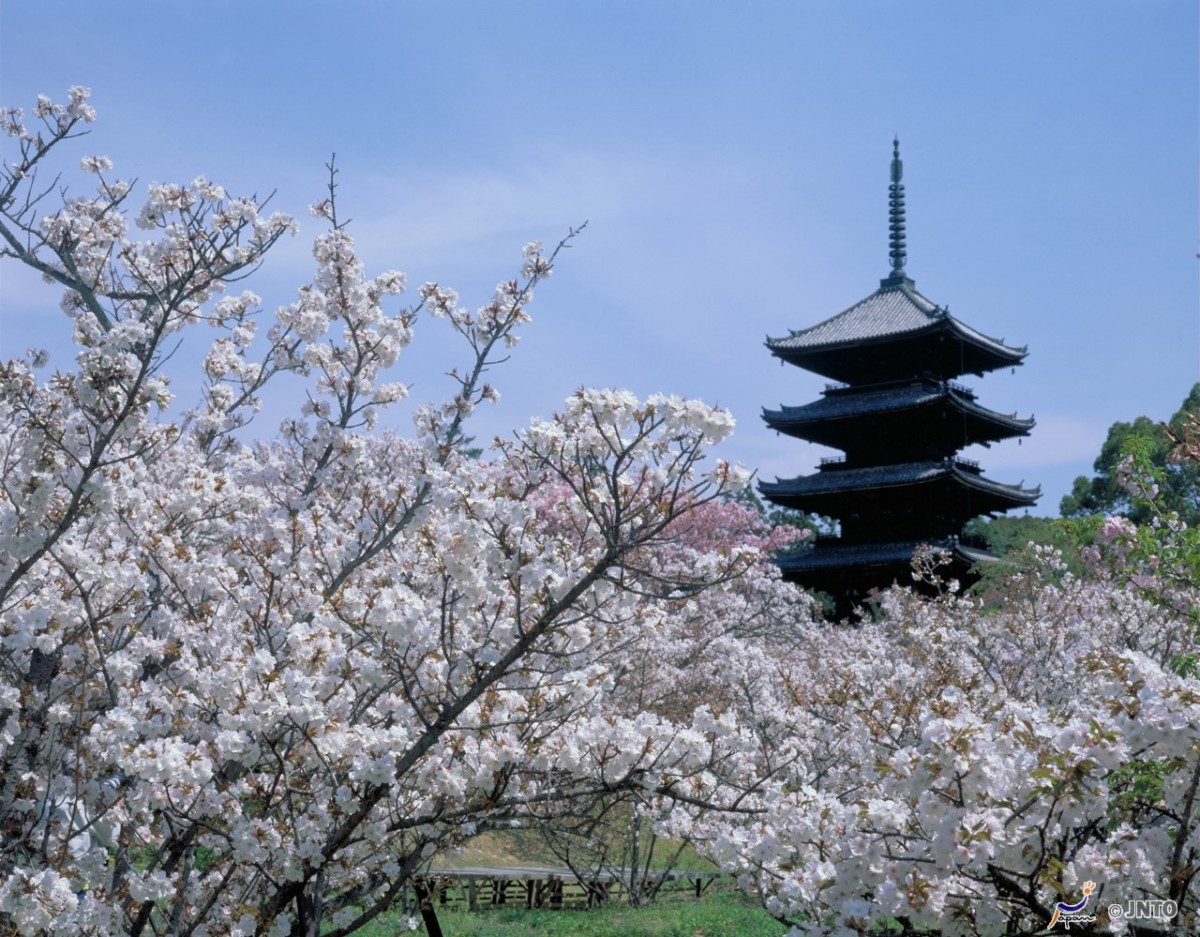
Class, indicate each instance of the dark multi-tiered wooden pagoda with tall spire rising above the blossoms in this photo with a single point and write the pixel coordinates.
(901, 419)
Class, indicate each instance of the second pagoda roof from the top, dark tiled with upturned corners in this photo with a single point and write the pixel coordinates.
(833, 416)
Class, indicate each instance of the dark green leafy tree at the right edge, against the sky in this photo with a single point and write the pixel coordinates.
(1180, 482)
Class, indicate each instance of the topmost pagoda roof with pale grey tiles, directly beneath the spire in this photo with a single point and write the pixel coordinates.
(895, 315)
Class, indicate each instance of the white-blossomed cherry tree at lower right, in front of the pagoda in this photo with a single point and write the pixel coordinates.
(962, 771)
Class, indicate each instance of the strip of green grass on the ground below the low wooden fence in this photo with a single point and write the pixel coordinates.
(717, 915)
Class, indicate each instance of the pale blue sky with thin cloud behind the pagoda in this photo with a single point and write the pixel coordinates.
(731, 161)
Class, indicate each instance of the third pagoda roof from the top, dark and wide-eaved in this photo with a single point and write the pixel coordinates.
(837, 488)
